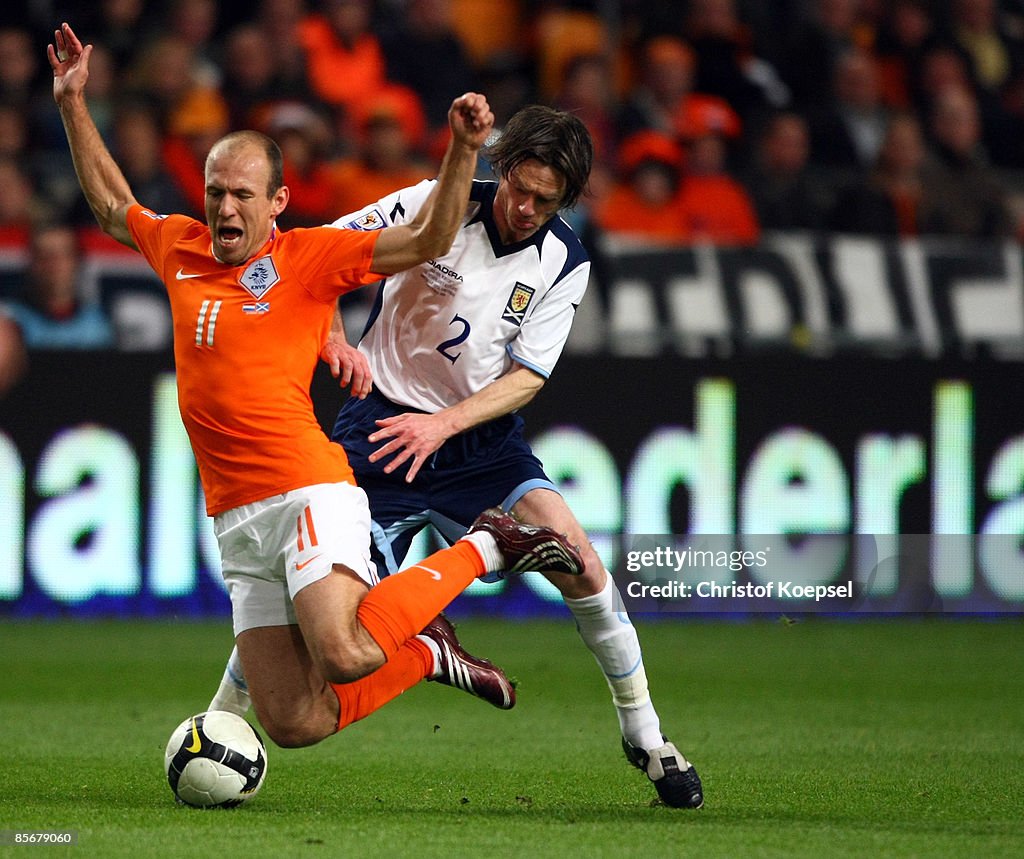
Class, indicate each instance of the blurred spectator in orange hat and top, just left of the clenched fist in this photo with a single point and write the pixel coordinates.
(391, 131)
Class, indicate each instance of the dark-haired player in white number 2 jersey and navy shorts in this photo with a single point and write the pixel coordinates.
(454, 348)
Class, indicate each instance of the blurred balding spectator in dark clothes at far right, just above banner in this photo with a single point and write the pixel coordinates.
(969, 196)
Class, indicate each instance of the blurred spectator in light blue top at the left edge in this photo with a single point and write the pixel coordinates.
(50, 309)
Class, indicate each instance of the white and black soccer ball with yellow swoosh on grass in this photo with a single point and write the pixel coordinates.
(216, 760)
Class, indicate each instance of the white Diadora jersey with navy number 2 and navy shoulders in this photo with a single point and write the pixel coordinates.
(444, 330)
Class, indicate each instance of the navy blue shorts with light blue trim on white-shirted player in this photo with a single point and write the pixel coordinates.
(489, 466)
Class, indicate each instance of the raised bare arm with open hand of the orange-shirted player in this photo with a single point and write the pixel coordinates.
(104, 185)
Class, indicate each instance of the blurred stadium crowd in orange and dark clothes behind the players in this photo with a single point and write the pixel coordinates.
(714, 120)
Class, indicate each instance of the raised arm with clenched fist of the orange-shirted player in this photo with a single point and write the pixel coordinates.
(433, 232)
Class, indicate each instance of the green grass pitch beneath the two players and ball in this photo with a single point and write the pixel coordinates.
(899, 738)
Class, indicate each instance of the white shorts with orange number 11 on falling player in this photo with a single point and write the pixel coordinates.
(272, 549)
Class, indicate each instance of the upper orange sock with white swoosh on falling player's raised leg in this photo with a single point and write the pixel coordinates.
(404, 604)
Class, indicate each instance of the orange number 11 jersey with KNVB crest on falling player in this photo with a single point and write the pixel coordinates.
(247, 339)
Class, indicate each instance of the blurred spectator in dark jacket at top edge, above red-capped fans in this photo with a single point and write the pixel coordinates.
(728, 63)
